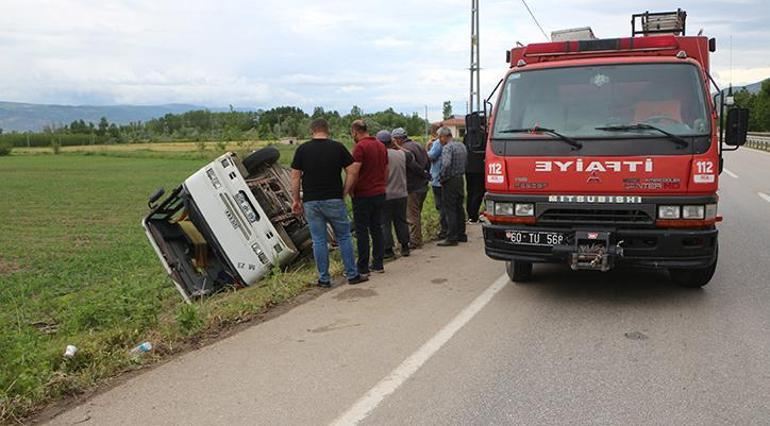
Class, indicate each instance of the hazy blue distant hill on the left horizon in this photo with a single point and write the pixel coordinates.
(22, 117)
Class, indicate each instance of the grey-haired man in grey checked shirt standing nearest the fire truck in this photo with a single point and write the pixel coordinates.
(454, 157)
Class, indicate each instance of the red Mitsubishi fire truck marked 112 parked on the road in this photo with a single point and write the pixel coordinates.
(607, 152)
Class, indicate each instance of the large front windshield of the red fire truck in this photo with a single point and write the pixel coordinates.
(603, 101)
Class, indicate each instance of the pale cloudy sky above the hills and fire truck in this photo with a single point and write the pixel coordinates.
(332, 53)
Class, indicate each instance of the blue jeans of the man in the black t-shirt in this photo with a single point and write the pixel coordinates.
(332, 212)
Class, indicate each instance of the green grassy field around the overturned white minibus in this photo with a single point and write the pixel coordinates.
(76, 268)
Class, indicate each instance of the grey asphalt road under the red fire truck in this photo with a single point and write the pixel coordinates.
(442, 338)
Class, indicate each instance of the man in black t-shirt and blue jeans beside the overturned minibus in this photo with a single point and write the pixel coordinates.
(317, 167)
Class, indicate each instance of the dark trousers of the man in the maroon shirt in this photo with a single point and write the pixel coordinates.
(367, 214)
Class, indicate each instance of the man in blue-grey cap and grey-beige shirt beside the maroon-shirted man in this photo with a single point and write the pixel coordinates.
(394, 212)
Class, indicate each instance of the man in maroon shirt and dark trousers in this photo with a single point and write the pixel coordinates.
(370, 161)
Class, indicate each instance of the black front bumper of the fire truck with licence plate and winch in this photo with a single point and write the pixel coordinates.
(602, 248)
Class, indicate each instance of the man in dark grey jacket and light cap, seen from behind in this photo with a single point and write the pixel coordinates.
(417, 174)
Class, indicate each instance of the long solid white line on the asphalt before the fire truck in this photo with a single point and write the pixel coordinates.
(367, 403)
